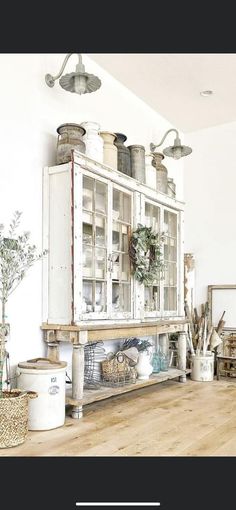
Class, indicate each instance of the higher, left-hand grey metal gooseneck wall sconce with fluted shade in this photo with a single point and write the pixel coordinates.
(78, 82)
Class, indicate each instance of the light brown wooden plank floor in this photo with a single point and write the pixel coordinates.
(169, 419)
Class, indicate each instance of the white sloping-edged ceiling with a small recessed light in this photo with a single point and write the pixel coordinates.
(171, 84)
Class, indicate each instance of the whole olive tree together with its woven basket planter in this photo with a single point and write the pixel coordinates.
(17, 255)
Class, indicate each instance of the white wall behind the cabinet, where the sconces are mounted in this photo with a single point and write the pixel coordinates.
(30, 114)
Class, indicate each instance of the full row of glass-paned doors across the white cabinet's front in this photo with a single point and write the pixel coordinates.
(104, 222)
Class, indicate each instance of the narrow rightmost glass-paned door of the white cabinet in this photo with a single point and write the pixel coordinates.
(170, 260)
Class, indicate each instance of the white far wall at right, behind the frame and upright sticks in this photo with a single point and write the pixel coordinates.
(209, 189)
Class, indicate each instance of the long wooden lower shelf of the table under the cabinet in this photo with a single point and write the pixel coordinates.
(107, 392)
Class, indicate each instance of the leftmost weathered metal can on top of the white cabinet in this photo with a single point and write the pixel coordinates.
(69, 137)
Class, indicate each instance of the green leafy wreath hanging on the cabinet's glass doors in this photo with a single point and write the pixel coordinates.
(146, 255)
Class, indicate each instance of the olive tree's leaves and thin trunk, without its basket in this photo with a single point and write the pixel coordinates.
(17, 255)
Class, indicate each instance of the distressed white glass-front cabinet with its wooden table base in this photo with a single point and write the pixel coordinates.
(89, 212)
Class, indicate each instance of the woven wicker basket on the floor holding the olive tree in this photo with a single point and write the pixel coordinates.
(14, 417)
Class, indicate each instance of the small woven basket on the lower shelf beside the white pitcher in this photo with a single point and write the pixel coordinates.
(117, 371)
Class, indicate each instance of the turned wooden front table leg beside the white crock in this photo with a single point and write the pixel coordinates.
(78, 373)
